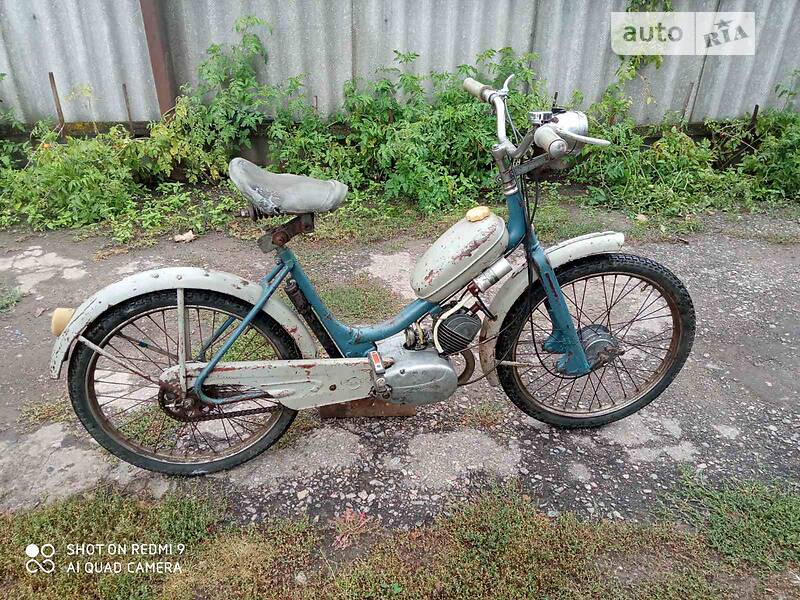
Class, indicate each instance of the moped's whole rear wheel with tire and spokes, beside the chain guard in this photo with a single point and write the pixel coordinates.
(122, 406)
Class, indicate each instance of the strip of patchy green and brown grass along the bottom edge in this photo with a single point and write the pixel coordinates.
(500, 546)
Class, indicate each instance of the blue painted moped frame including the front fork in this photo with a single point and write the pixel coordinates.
(359, 341)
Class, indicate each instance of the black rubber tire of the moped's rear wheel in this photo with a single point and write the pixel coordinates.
(84, 395)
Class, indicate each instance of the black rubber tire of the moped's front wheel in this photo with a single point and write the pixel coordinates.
(681, 311)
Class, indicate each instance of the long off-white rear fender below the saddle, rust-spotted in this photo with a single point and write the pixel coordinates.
(172, 278)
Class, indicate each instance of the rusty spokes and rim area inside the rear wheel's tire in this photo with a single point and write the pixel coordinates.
(124, 386)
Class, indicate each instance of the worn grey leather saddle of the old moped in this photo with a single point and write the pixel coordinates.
(278, 194)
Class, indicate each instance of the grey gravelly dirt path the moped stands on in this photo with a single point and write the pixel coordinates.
(733, 411)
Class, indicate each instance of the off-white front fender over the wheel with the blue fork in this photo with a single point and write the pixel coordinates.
(513, 288)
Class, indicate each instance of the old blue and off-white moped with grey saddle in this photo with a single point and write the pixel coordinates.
(189, 371)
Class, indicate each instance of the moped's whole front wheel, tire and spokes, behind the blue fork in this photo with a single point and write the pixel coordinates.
(631, 302)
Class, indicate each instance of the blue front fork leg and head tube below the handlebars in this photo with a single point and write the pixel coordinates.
(563, 339)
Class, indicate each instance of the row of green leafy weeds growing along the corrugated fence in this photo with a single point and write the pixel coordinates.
(403, 139)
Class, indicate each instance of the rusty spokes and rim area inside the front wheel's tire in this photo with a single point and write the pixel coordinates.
(630, 306)
